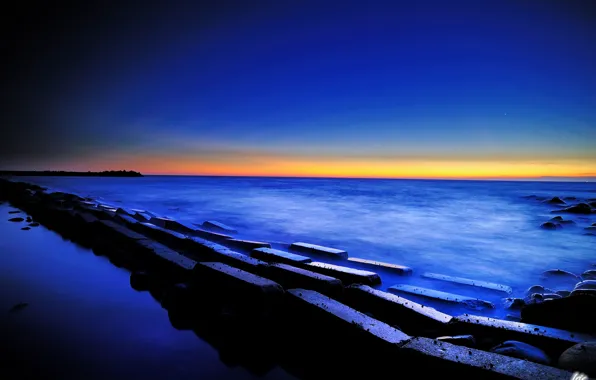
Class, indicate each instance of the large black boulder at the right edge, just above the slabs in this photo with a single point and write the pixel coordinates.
(573, 313)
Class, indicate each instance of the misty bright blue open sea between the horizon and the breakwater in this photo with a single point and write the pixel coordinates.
(483, 230)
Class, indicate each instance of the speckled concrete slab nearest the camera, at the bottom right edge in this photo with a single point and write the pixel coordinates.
(435, 358)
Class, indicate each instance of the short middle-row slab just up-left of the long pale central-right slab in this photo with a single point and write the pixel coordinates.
(292, 277)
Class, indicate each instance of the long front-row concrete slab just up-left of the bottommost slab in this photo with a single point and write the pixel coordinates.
(334, 319)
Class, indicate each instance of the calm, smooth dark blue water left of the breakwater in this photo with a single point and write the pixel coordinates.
(84, 321)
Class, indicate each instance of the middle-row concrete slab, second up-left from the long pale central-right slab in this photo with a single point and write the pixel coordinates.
(209, 251)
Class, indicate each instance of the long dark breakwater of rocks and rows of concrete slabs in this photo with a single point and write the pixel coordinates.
(306, 295)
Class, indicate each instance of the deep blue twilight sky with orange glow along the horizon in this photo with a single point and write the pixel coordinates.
(407, 89)
